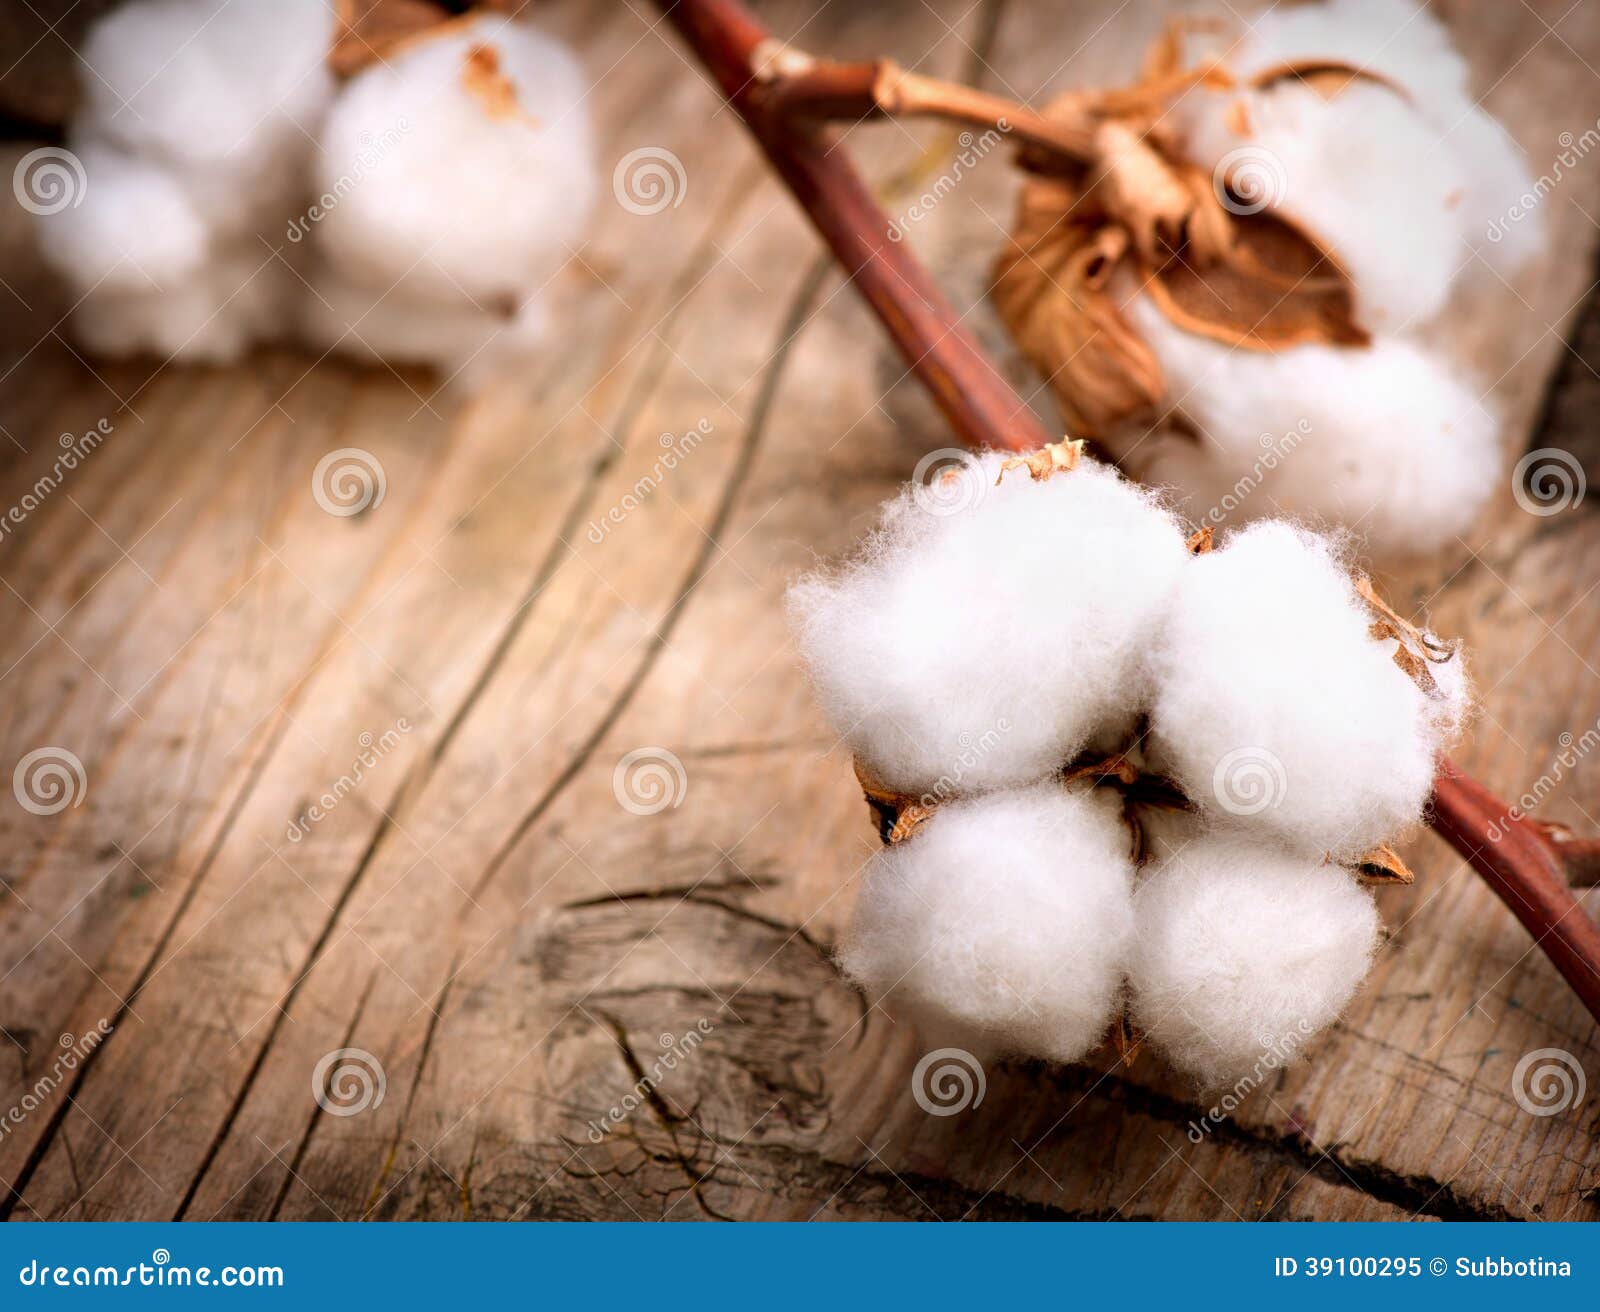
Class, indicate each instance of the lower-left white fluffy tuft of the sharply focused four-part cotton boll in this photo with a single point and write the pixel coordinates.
(1002, 924)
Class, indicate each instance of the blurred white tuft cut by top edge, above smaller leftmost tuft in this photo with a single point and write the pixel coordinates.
(210, 84)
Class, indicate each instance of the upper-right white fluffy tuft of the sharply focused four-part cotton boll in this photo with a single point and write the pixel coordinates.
(1278, 711)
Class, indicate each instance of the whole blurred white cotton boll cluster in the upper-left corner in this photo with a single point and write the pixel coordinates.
(238, 193)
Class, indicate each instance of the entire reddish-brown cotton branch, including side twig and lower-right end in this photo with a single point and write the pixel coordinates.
(785, 100)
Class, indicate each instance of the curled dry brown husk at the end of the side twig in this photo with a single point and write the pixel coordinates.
(1249, 281)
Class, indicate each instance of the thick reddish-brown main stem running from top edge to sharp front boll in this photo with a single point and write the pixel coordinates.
(980, 404)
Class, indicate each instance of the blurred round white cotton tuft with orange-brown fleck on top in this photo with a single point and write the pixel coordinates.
(447, 194)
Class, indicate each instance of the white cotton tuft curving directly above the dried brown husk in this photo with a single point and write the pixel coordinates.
(1364, 172)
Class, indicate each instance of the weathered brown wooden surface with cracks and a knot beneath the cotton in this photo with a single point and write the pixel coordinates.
(489, 922)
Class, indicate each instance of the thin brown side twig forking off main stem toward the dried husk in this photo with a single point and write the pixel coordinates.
(881, 89)
